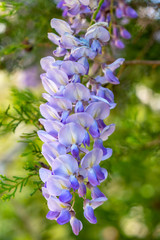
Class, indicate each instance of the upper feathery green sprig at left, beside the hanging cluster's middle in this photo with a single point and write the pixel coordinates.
(25, 110)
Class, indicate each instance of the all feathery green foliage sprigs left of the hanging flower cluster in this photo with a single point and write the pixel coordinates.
(25, 110)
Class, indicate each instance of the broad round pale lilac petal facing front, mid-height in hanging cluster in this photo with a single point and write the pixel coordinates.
(71, 133)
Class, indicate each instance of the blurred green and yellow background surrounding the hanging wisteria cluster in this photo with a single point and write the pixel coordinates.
(133, 187)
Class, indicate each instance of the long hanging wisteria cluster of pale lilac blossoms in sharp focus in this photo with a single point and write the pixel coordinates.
(74, 119)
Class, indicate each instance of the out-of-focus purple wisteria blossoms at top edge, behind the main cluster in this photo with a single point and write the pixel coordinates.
(77, 10)
